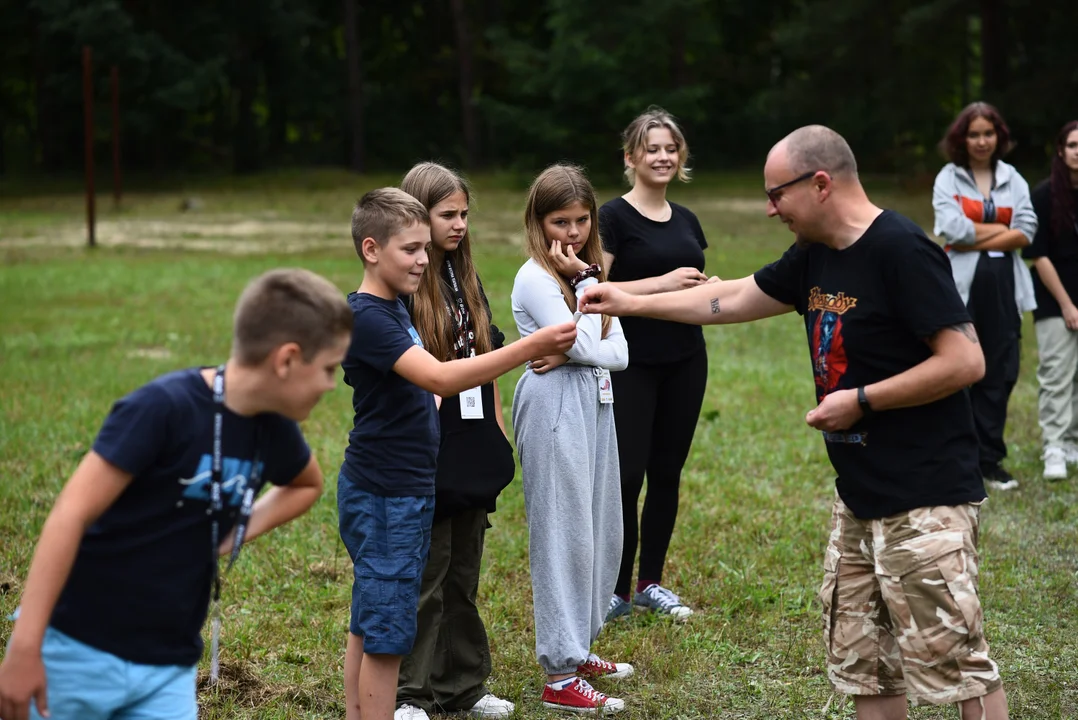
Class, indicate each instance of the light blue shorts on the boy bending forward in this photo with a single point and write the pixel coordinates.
(87, 684)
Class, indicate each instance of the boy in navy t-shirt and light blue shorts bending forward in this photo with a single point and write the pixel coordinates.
(121, 580)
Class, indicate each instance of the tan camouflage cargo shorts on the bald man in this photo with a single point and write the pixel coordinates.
(902, 615)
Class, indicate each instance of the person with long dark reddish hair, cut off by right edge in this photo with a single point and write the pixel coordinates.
(1055, 254)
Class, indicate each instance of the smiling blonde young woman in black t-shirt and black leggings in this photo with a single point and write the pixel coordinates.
(653, 245)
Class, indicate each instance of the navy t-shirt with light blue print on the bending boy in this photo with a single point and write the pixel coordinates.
(141, 585)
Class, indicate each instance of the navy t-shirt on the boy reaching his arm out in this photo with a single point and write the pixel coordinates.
(393, 448)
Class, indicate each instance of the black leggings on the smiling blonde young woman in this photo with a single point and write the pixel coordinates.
(656, 410)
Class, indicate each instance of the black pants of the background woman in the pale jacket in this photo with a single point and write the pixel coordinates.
(1000, 327)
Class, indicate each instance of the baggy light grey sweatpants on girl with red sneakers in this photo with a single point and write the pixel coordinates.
(569, 454)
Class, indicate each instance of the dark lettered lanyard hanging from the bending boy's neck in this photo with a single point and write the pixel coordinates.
(217, 511)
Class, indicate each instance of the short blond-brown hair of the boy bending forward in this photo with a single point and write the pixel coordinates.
(288, 306)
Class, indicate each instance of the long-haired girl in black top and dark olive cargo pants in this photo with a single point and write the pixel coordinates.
(451, 661)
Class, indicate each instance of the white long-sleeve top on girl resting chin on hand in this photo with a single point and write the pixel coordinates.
(538, 302)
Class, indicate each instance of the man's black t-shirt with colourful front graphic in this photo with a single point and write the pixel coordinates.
(868, 311)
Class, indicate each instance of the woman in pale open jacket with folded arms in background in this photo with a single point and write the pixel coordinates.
(985, 213)
